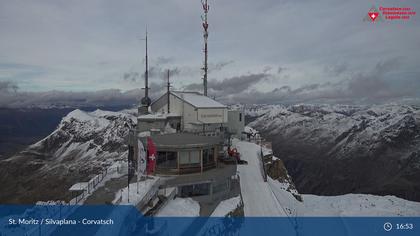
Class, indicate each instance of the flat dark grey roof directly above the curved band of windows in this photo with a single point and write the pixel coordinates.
(184, 140)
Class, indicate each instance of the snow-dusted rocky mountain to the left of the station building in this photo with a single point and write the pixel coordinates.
(83, 144)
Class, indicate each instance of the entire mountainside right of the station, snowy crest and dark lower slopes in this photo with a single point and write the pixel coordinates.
(333, 150)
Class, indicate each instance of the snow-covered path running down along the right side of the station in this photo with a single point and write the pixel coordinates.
(258, 197)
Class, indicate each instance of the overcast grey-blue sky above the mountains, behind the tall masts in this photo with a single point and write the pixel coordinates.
(268, 51)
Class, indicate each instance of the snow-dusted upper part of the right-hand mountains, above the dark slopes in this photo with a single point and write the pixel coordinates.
(341, 126)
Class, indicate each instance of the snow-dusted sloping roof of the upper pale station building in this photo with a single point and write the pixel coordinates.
(198, 100)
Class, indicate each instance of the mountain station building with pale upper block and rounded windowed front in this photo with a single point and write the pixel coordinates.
(188, 129)
